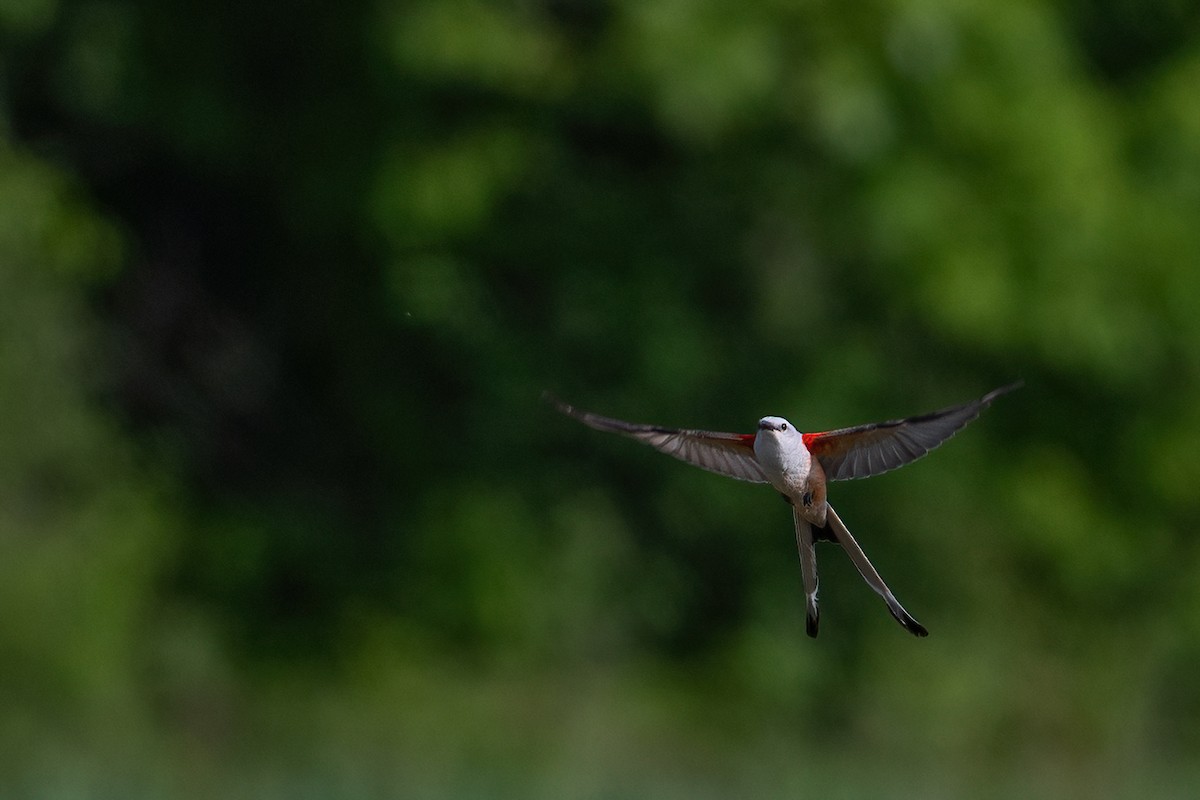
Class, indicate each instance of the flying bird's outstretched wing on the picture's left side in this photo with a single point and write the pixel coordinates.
(727, 454)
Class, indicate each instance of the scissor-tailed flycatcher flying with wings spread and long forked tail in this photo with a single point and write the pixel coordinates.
(800, 466)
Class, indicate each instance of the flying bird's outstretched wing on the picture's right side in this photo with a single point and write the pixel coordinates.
(872, 449)
